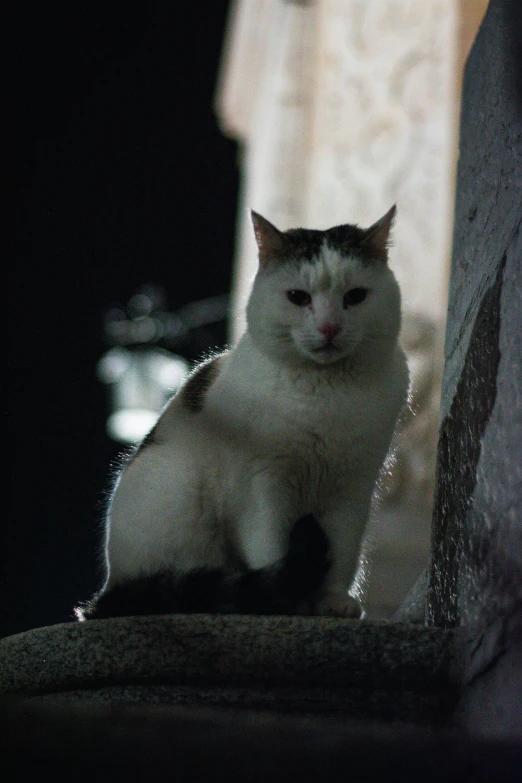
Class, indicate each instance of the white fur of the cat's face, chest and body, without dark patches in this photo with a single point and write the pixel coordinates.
(289, 427)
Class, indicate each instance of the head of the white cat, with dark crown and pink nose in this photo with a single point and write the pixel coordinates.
(323, 296)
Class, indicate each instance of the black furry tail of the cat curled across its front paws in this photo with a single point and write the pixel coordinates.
(287, 587)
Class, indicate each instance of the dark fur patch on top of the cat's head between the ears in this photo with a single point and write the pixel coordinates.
(305, 244)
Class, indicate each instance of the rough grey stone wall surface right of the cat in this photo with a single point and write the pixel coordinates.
(476, 572)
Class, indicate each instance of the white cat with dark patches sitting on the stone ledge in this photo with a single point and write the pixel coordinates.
(253, 490)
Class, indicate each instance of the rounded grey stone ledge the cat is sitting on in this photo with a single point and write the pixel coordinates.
(304, 665)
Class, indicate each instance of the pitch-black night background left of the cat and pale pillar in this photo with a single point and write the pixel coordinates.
(120, 176)
